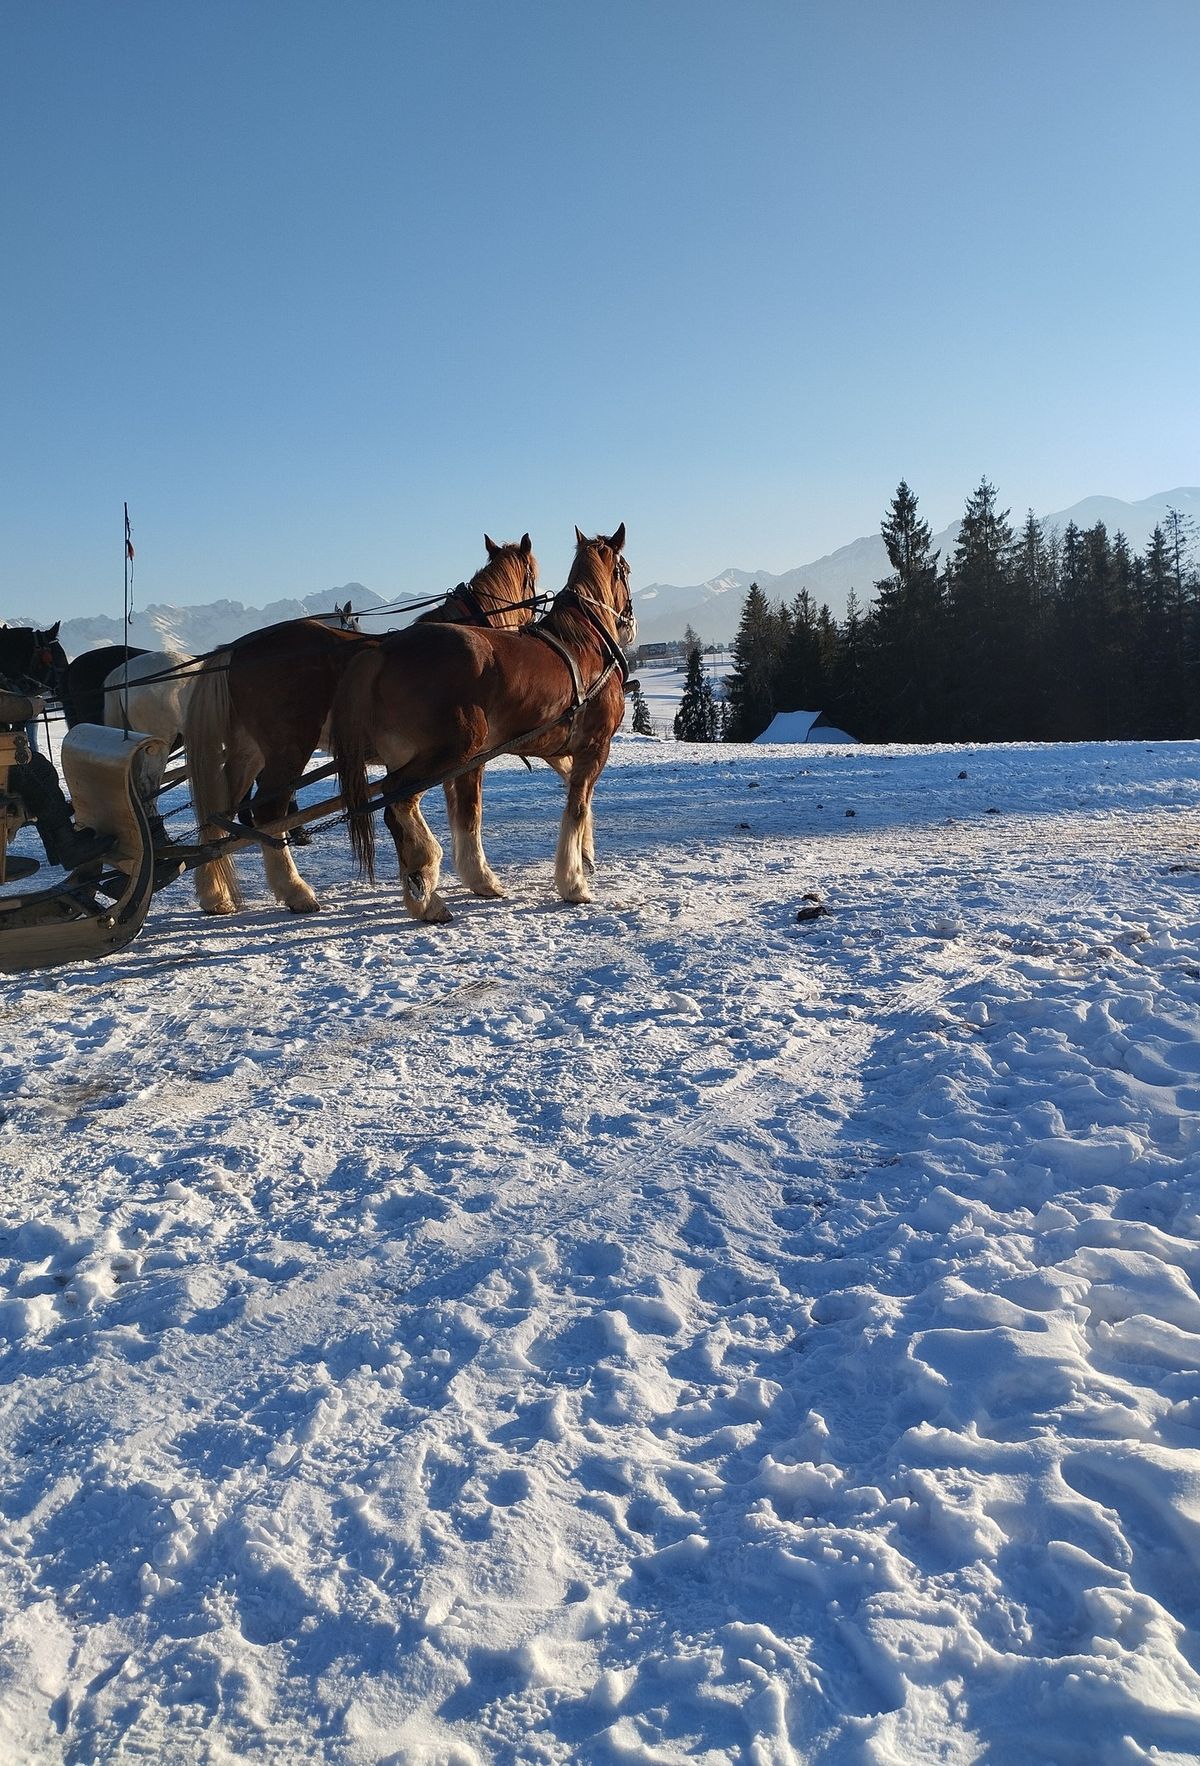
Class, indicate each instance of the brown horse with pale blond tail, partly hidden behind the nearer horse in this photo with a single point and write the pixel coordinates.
(260, 711)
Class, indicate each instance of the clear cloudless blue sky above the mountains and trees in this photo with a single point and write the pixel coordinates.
(327, 291)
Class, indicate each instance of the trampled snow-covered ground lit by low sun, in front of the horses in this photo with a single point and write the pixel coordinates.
(657, 1331)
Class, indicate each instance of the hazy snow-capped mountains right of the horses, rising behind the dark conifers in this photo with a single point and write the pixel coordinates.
(714, 608)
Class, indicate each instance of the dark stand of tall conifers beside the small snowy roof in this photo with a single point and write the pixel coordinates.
(1019, 635)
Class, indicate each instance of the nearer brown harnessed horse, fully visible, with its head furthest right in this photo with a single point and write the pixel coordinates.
(446, 700)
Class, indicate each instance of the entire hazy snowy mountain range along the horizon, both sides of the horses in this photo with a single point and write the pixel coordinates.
(664, 610)
